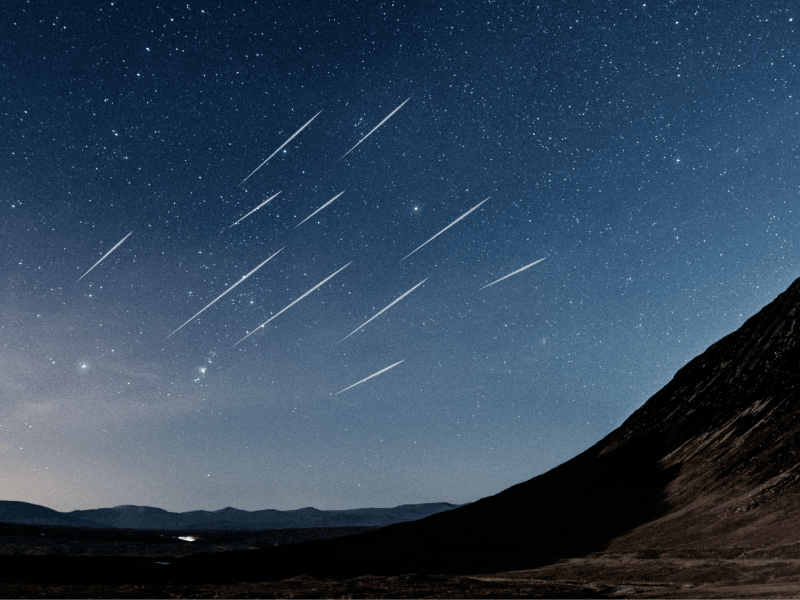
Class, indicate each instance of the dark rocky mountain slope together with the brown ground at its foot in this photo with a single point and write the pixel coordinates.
(695, 495)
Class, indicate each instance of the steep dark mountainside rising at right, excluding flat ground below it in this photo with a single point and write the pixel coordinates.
(711, 461)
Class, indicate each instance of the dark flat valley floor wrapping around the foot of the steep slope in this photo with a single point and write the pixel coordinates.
(32, 560)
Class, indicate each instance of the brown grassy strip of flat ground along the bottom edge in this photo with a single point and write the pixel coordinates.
(598, 576)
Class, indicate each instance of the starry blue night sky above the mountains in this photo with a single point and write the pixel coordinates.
(647, 151)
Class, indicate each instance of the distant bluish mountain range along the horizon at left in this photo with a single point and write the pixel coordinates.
(147, 517)
